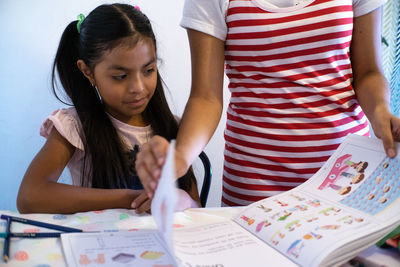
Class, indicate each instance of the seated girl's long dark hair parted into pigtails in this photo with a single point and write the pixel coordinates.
(106, 163)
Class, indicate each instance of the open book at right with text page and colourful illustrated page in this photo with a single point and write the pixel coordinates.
(347, 206)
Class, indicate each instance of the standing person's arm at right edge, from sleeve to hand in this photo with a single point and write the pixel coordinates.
(370, 85)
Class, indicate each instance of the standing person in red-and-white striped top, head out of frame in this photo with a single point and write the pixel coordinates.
(302, 74)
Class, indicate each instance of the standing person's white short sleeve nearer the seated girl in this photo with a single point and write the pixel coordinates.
(207, 16)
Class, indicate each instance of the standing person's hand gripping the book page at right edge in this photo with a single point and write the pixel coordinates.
(386, 126)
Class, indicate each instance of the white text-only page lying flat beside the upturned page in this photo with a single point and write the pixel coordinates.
(224, 244)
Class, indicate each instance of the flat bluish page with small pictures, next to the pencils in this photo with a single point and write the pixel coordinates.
(126, 248)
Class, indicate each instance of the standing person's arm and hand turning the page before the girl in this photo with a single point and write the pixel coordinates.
(200, 118)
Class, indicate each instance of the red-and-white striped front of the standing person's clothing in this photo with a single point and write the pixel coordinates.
(292, 100)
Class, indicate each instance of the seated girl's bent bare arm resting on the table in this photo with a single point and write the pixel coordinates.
(40, 193)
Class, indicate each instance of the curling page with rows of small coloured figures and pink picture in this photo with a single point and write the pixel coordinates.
(352, 196)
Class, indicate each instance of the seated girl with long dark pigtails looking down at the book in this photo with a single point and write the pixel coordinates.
(107, 66)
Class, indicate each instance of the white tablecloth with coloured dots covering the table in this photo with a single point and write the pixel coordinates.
(46, 252)
